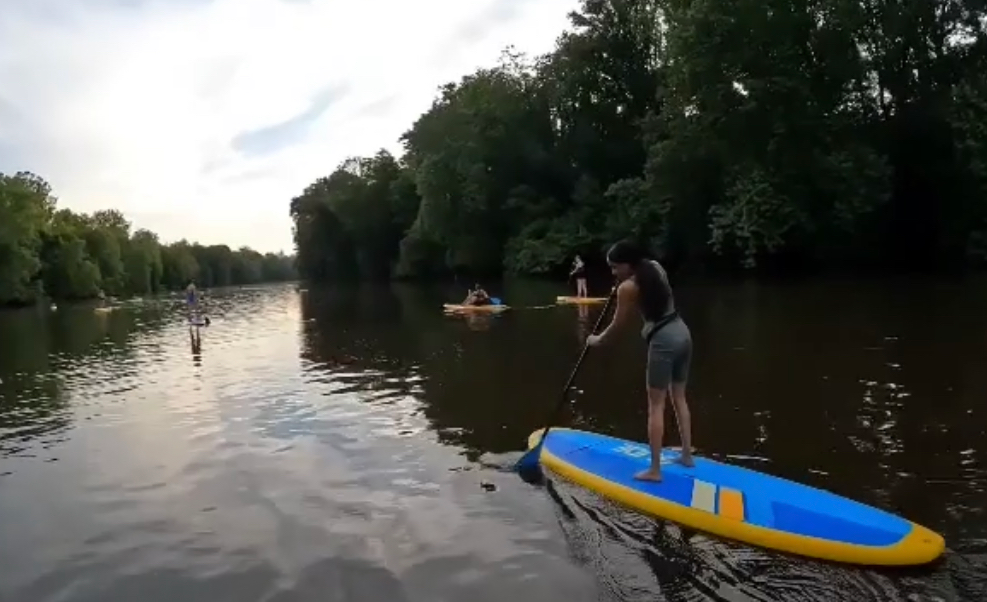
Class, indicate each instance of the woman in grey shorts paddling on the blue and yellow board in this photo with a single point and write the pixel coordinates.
(644, 284)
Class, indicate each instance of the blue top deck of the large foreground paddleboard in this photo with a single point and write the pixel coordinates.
(730, 493)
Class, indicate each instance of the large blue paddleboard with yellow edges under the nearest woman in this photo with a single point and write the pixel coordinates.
(739, 503)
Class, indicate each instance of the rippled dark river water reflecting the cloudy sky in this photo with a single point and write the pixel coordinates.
(353, 445)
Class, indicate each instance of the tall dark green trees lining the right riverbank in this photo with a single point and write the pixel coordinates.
(747, 134)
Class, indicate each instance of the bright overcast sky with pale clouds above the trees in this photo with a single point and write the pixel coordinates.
(200, 119)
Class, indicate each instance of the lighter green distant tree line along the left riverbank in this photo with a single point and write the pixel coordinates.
(46, 251)
